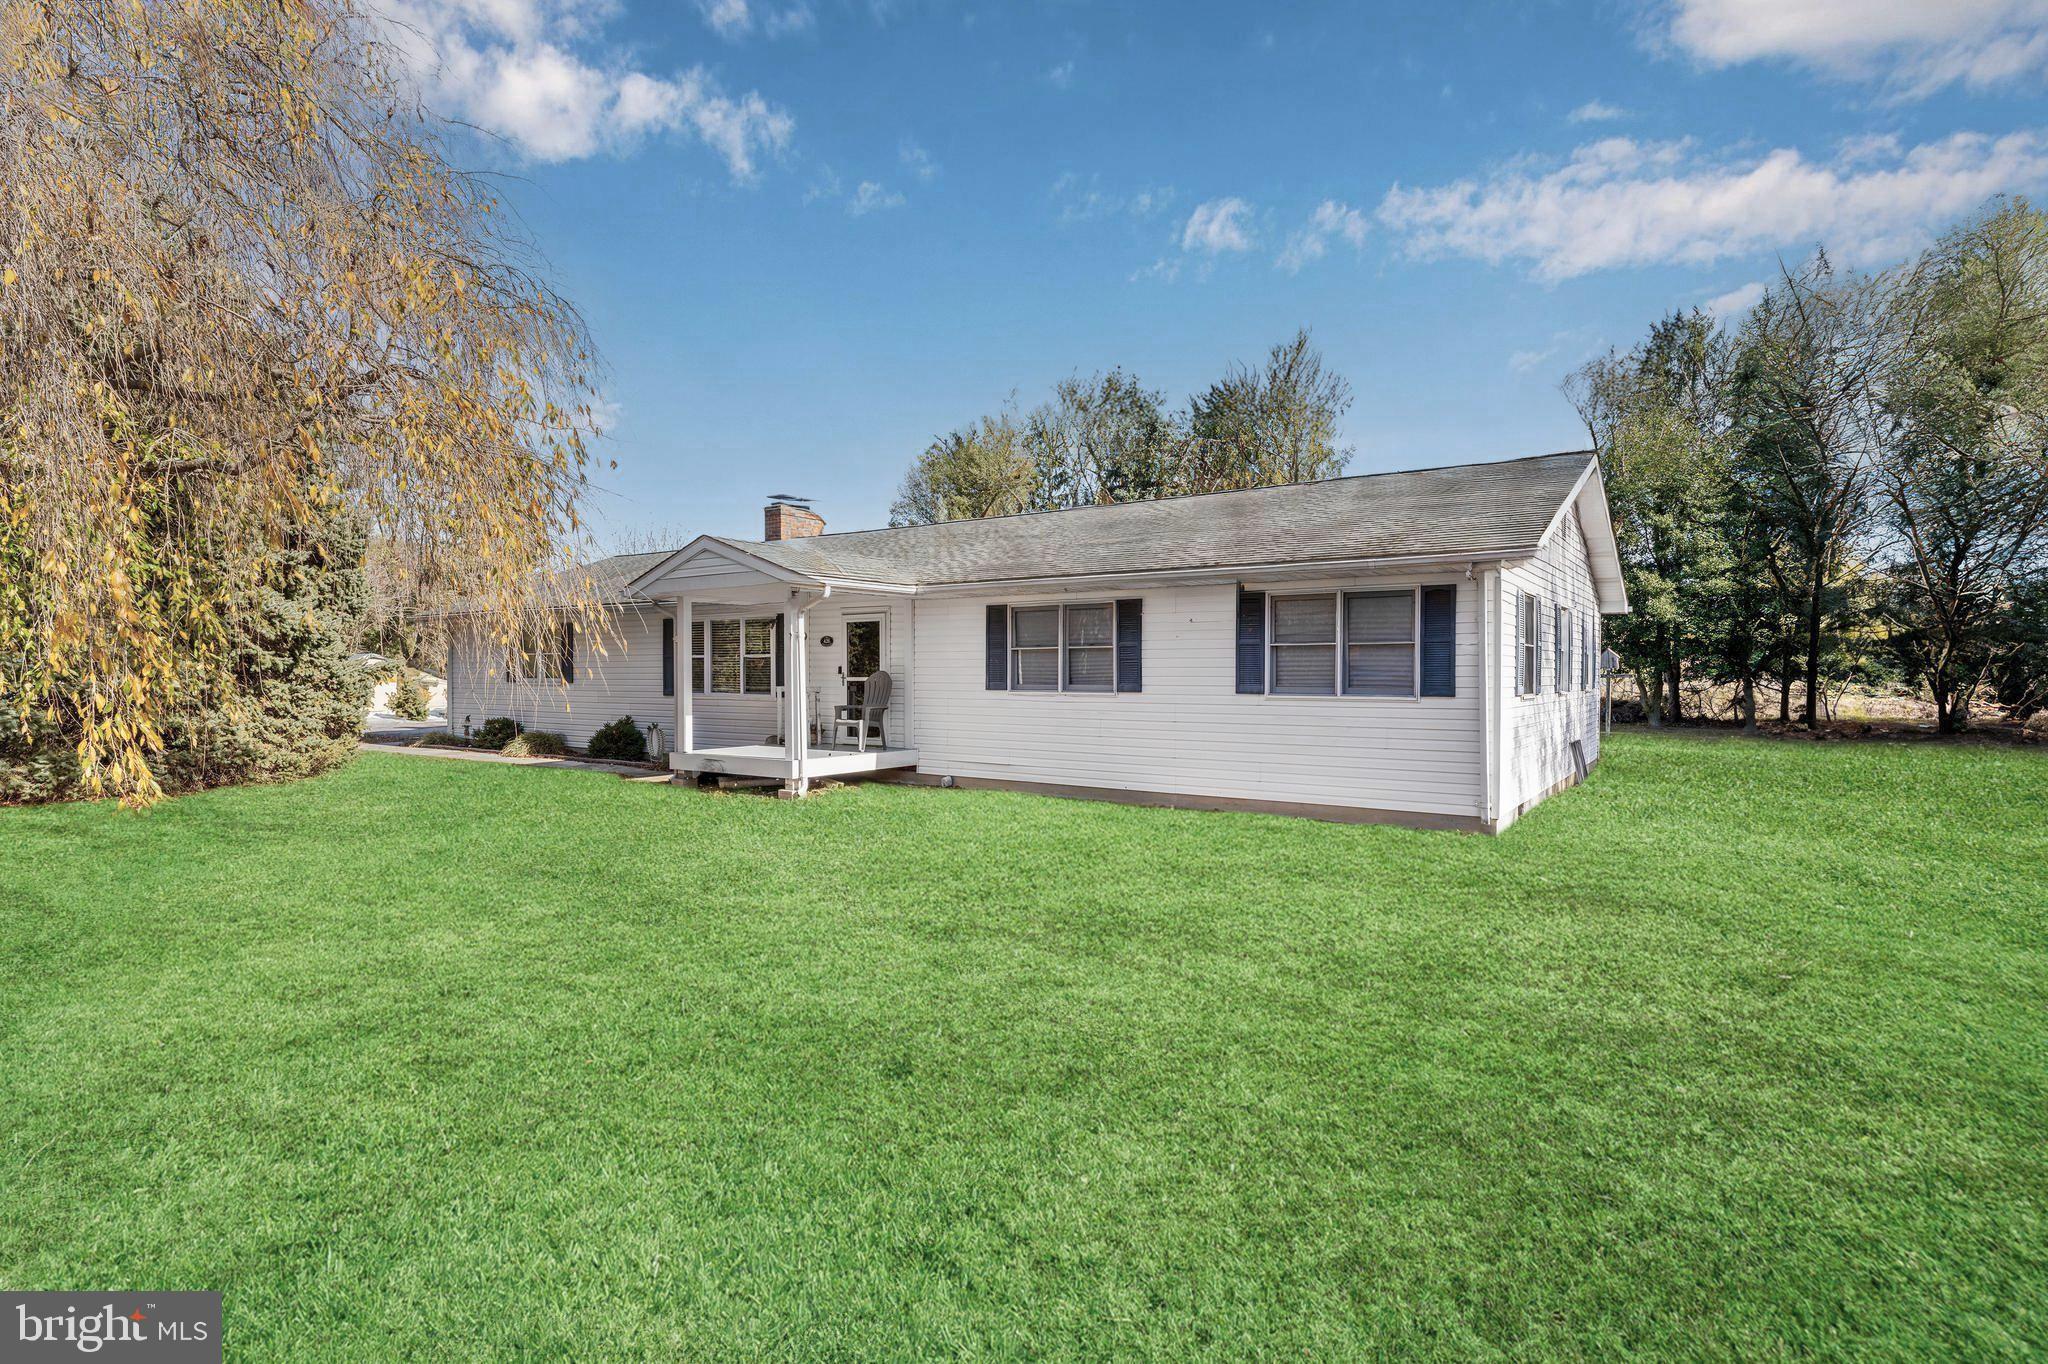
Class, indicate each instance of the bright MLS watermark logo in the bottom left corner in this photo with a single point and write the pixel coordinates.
(165, 1328)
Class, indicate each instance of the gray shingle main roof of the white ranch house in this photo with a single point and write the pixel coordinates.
(1461, 511)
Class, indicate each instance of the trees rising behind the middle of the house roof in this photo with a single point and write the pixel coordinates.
(1111, 439)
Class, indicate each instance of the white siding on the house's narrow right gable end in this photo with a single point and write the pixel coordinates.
(1541, 730)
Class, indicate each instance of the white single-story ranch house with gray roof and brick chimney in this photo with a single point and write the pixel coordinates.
(1396, 646)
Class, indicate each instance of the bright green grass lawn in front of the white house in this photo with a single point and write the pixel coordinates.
(1742, 1050)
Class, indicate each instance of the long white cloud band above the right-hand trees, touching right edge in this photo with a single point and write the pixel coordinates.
(1627, 204)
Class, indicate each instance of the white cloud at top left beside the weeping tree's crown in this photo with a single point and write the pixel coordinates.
(540, 75)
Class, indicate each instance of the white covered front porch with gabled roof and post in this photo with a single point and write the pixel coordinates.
(765, 660)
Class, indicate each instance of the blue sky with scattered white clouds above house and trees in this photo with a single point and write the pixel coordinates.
(812, 235)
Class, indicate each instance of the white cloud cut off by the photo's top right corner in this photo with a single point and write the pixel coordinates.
(1912, 46)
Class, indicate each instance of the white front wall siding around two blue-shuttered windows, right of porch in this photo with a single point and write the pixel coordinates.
(1189, 732)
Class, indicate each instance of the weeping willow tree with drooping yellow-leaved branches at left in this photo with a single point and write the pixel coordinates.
(243, 294)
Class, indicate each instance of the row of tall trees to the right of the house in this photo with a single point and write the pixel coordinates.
(1848, 486)
